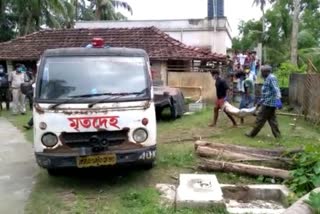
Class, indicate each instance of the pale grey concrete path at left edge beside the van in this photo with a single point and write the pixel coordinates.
(17, 169)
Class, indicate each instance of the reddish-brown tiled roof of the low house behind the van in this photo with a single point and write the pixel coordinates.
(165, 52)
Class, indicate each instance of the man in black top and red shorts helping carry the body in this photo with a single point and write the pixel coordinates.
(221, 90)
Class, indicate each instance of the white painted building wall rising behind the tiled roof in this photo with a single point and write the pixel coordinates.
(193, 32)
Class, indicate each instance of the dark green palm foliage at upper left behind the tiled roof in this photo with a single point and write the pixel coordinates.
(22, 17)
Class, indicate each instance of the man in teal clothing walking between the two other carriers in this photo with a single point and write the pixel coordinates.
(247, 99)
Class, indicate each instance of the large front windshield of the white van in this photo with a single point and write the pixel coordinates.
(92, 77)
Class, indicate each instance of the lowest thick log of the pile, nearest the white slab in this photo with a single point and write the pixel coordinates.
(213, 165)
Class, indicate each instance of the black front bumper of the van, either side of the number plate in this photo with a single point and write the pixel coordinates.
(58, 160)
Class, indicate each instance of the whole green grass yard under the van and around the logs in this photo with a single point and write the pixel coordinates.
(133, 190)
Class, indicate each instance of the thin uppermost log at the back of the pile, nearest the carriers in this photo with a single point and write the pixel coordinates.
(247, 150)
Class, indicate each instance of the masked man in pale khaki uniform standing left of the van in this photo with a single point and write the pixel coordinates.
(16, 78)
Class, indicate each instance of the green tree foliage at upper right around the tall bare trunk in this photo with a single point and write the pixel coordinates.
(277, 35)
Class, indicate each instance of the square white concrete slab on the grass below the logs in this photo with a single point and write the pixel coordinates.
(198, 190)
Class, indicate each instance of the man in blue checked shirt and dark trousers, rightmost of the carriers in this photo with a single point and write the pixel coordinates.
(269, 102)
